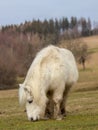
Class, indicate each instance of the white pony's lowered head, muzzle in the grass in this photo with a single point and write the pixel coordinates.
(34, 109)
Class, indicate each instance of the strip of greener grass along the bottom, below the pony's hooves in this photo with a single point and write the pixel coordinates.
(72, 122)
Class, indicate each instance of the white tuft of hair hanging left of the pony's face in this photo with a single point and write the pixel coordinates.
(22, 94)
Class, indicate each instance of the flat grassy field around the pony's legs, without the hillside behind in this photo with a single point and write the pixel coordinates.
(82, 114)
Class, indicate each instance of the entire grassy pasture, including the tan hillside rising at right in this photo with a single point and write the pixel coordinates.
(82, 104)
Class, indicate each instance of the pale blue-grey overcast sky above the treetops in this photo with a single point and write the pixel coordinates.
(19, 11)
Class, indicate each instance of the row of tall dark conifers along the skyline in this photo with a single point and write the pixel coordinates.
(53, 26)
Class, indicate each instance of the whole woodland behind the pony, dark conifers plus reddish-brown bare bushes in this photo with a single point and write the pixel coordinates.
(20, 43)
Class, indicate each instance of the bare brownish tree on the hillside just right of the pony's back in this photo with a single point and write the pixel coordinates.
(79, 49)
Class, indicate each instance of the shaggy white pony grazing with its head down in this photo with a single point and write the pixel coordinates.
(53, 71)
